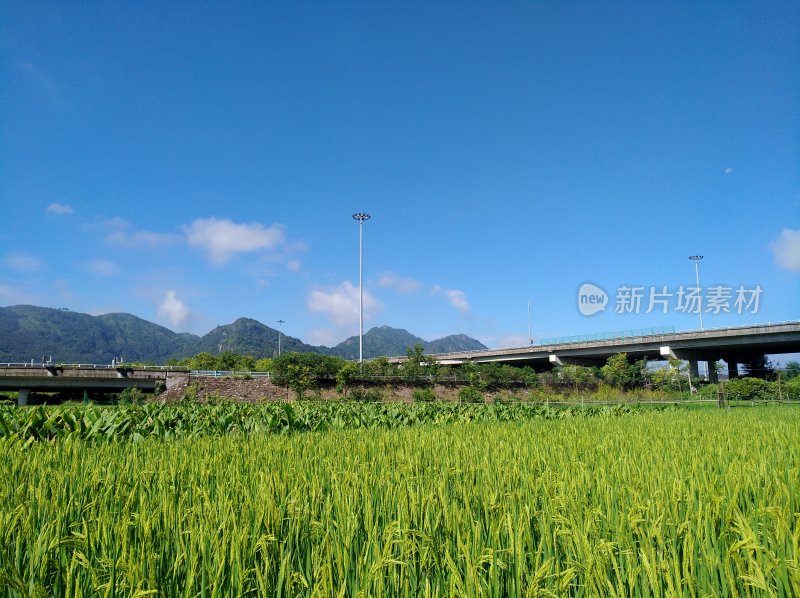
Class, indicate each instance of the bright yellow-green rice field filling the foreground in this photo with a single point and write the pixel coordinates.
(664, 503)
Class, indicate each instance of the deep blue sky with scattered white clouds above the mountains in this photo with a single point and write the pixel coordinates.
(194, 163)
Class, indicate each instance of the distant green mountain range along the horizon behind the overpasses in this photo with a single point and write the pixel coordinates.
(29, 332)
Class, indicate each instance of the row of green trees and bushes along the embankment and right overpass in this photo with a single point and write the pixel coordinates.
(303, 372)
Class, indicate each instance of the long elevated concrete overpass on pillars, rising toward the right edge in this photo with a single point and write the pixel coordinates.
(734, 345)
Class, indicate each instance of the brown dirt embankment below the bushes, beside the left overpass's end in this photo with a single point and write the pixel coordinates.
(259, 389)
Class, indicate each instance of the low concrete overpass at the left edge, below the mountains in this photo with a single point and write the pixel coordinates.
(24, 378)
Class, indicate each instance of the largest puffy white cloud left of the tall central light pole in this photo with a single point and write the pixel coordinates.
(222, 239)
